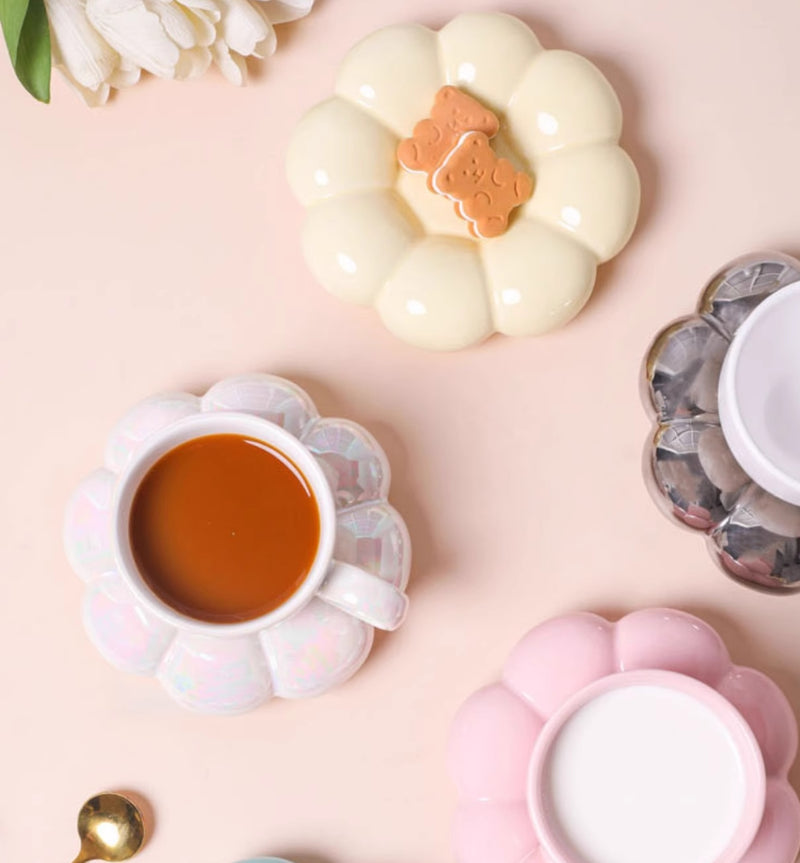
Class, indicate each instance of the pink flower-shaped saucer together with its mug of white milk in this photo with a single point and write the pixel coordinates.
(623, 743)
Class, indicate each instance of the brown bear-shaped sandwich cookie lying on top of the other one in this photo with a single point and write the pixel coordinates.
(485, 189)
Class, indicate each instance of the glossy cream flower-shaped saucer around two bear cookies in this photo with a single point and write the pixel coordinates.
(376, 235)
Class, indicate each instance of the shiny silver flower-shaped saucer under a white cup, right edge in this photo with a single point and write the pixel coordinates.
(752, 534)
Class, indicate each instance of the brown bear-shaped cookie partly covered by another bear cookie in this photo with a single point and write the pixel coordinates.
(453, 114)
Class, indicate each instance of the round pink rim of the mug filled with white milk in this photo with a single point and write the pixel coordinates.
(755, 779)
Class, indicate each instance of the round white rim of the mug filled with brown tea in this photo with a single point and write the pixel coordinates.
(203, 425)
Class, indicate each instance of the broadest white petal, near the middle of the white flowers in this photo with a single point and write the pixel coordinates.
(136, 33)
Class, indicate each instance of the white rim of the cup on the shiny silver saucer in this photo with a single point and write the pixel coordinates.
(745, 450)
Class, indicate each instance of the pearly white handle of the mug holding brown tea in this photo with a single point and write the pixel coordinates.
(365, 596)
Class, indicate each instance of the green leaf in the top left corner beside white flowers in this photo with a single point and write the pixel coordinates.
(27, 35)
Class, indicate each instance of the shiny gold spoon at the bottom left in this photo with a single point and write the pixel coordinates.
(110, 828)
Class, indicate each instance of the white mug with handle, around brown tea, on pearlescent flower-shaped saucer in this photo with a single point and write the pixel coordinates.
(359, 593)
